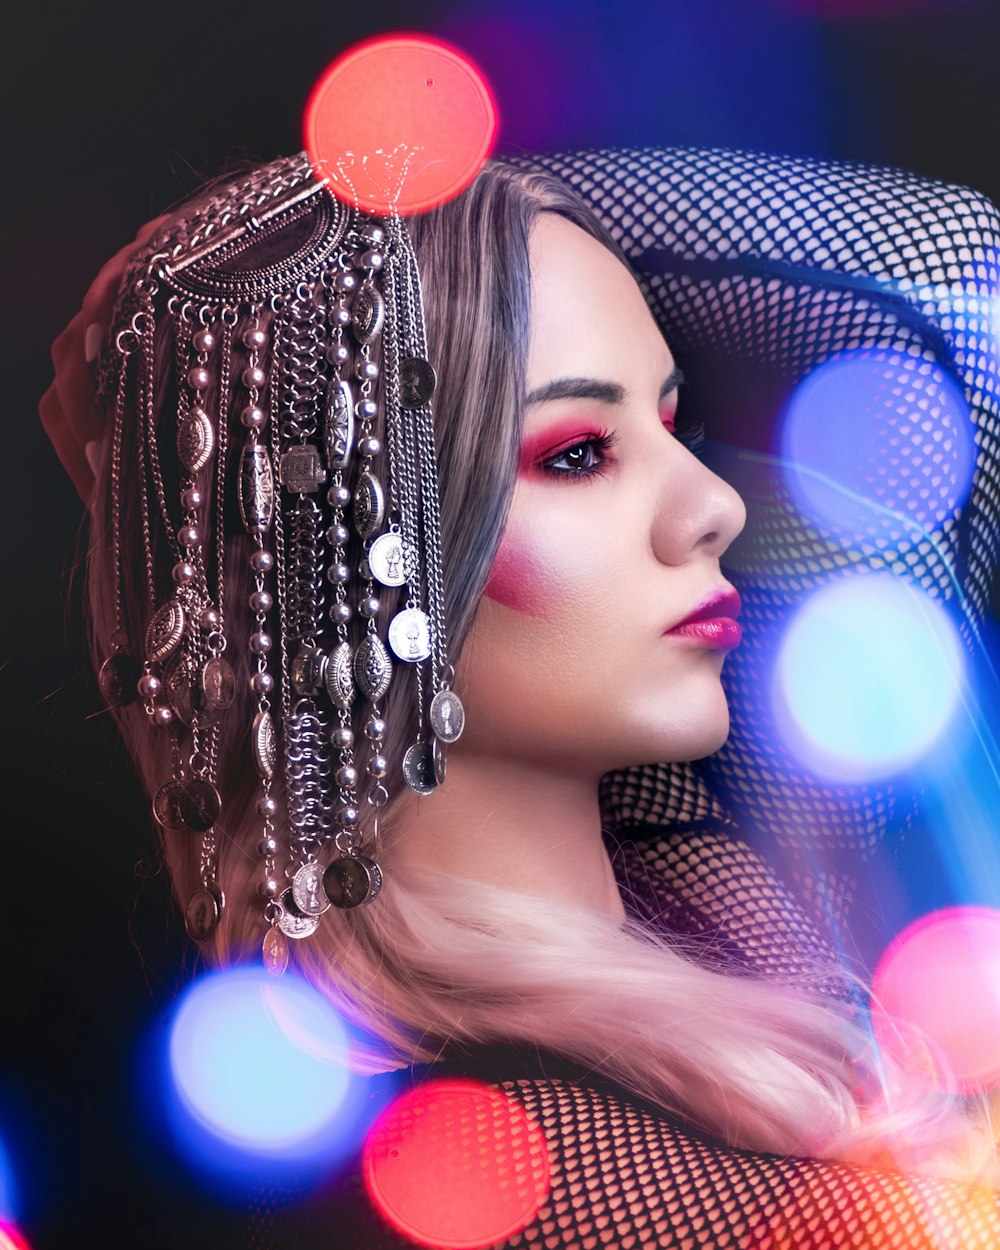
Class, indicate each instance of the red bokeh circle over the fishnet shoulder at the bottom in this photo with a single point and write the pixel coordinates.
(457, 1164)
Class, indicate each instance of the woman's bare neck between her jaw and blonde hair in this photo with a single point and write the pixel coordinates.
(517, 824)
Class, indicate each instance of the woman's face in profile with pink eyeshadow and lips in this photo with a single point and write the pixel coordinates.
(613, 541)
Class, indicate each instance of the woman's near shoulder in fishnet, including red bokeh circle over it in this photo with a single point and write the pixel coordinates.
(518, 1149)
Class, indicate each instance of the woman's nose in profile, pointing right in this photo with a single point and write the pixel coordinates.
(697, 511)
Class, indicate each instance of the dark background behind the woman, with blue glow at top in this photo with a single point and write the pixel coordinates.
(114, 112)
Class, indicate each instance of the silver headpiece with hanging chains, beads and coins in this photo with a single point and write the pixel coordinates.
(272, 316)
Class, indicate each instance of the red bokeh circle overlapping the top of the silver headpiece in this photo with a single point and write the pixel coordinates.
(401, 122)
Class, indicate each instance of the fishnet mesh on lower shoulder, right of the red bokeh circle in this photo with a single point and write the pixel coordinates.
(624, 1177)
